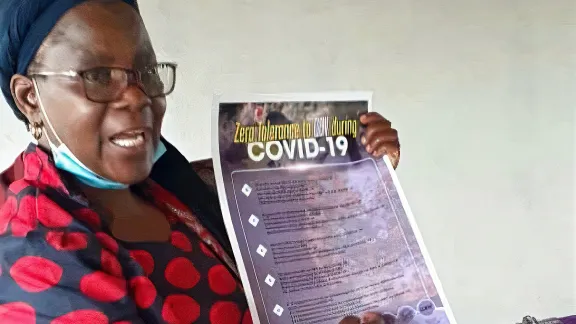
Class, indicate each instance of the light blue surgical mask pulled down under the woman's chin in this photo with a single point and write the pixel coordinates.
(67, 161)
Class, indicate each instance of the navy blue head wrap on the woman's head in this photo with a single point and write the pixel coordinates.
(24, 24)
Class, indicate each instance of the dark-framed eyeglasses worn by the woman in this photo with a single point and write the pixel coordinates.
(106, 84)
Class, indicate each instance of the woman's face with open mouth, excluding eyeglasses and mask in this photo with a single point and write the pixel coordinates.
(98, 34)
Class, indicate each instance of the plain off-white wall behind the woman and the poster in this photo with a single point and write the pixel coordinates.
(482, 92)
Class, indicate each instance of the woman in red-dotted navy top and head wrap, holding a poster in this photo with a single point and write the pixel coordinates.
(101, 220)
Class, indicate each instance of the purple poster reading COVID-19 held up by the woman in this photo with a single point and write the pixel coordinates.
(321, 231)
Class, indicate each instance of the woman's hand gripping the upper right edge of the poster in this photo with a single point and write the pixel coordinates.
(380, 138)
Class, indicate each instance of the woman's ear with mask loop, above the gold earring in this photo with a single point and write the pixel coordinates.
(24, 95)
